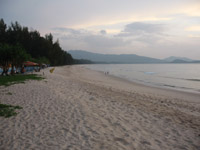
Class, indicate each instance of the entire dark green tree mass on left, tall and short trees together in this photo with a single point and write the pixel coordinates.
(18, 43)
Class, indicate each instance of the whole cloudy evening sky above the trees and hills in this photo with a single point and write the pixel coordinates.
(153, 28)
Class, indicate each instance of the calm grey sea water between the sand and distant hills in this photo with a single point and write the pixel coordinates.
(184, 77)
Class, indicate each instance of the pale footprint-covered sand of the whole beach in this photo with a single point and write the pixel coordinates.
(75, 108)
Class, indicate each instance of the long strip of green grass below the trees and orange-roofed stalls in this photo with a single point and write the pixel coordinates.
(9, 80)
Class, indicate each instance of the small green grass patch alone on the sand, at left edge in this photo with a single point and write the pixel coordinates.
(8, 110)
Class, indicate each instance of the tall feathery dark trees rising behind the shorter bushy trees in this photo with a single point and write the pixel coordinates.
(40, 48)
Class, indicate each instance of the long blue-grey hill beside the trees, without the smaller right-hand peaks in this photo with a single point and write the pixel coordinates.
(112, 58)
